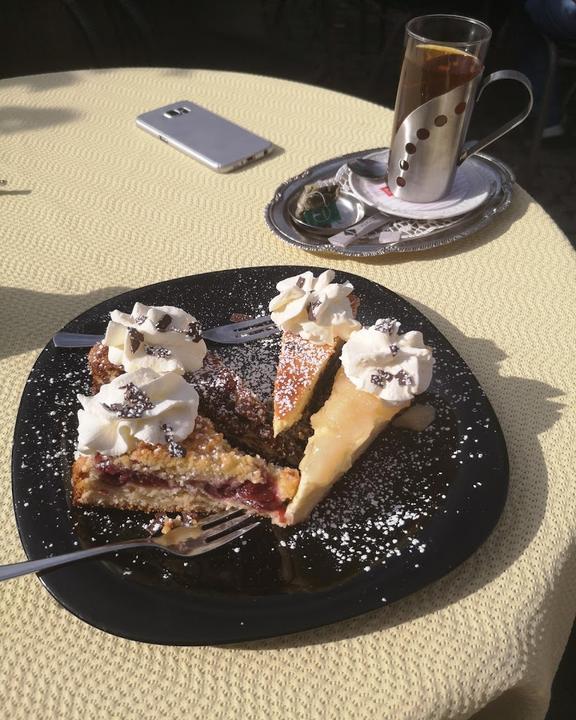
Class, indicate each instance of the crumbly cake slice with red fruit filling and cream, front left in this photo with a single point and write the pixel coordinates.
(142, 446)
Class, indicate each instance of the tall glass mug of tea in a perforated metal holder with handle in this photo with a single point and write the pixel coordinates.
(439, 81)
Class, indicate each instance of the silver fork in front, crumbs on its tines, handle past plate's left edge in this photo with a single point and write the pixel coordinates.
(212, 532)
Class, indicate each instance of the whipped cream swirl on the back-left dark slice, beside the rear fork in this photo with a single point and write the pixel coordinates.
(163, 338)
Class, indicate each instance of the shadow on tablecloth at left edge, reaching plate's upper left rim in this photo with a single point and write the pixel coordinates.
(28, 318)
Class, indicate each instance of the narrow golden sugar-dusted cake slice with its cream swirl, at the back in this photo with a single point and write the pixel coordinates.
(316, 315)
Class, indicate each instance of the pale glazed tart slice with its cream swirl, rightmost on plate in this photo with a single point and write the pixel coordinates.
(381, 373)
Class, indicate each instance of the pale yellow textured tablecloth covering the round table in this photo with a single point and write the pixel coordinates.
(93, 206)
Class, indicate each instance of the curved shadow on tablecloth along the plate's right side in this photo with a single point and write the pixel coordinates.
(520, 521)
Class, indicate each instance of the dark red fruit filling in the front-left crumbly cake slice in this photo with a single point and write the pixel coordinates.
(260, 496)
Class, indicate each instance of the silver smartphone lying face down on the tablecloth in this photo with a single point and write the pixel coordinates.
(218, 143)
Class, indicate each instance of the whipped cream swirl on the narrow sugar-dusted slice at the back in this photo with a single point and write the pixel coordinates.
(315, 308)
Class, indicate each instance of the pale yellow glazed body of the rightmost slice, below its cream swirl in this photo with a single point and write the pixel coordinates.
(344, 427)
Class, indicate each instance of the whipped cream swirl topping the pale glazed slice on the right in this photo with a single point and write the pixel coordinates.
(393, 367)
